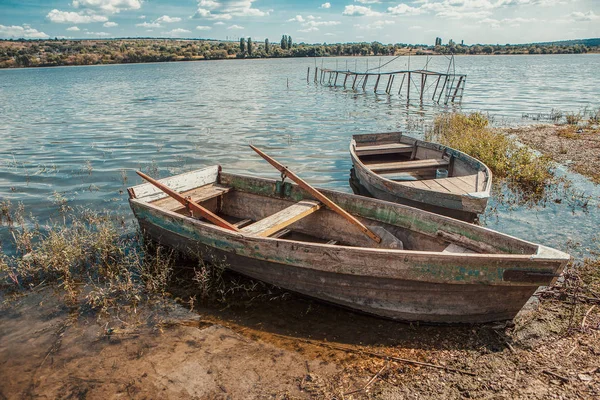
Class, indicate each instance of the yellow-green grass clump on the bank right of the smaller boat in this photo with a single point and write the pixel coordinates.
(517, 165)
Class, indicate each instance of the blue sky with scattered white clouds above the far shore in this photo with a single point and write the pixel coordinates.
(332, 21)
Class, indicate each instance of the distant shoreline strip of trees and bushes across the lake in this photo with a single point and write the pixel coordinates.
(65, 52)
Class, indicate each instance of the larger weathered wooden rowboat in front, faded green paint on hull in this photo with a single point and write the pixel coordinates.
(449, 271)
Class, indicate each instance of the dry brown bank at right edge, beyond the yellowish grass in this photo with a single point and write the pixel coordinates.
(578, 147)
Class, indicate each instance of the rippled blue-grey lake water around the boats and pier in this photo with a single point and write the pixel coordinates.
(82, 131)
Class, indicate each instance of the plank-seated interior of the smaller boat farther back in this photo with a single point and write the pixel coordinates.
(410, 162)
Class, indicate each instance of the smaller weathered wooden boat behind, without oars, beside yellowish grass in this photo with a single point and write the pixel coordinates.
(398, 168)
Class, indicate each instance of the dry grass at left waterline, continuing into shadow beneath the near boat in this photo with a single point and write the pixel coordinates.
(98, 266)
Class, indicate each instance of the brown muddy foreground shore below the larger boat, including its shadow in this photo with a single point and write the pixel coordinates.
(286, 346)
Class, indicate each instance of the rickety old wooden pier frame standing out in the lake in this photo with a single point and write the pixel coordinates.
(412, 84)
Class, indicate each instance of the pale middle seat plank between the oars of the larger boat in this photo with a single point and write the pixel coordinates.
(278, 221)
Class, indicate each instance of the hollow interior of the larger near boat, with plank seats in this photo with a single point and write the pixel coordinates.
(271, 211)
